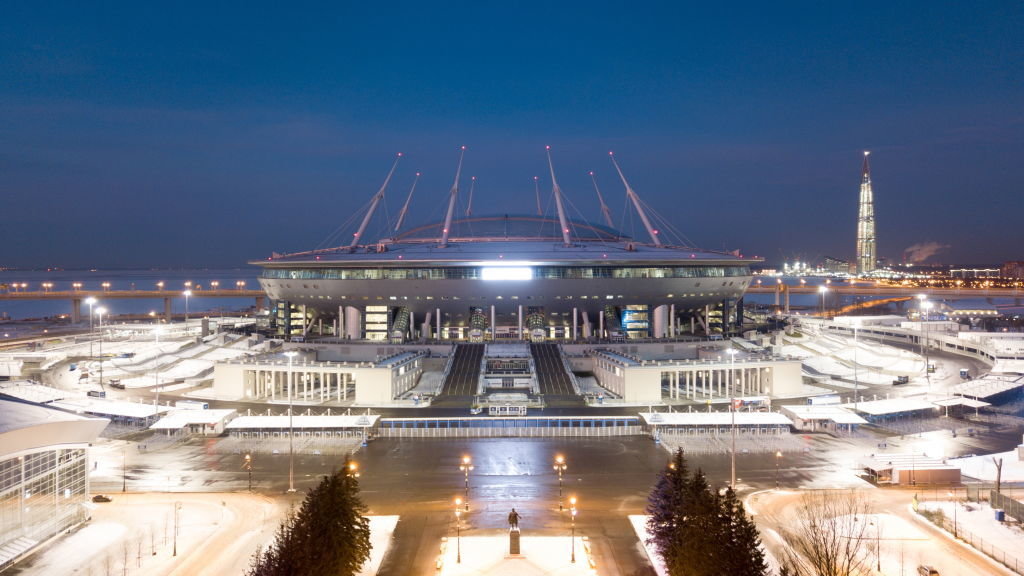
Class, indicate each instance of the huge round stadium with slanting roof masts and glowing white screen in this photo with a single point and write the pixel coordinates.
(506, 277)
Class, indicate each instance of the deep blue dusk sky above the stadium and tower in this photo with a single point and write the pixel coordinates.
(214, 134)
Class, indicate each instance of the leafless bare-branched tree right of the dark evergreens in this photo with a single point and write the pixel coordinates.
(830, 536)
